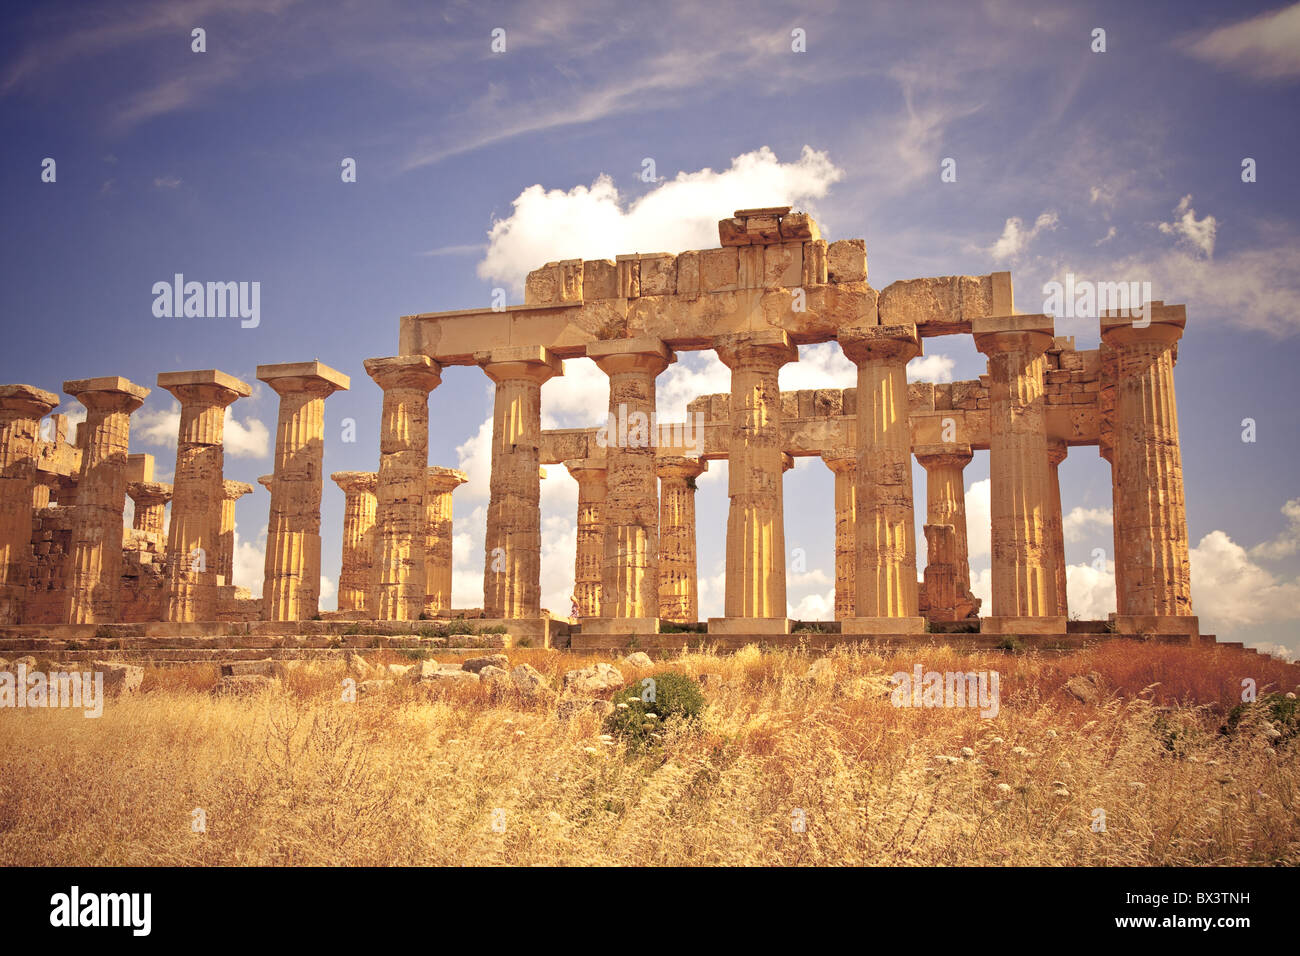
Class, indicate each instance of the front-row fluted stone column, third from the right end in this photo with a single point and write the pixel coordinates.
(886, 533)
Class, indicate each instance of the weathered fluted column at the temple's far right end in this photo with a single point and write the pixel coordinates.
(1152, 572)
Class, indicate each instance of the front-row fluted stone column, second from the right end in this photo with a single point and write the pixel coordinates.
(1024, 572)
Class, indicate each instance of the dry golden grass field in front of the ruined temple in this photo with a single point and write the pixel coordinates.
(298, 777)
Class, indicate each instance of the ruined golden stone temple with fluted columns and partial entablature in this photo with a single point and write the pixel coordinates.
(773, 284)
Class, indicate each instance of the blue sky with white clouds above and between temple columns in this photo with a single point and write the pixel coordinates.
(475, 166)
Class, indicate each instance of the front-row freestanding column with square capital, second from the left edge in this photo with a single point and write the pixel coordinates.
(96, 553)
